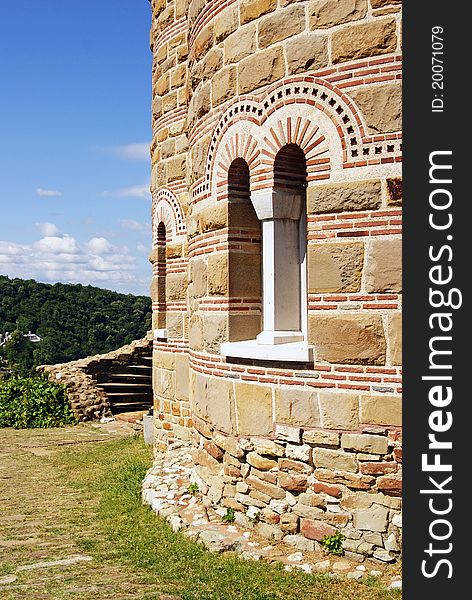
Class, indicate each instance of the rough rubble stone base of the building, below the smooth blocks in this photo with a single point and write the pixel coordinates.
(309, 483)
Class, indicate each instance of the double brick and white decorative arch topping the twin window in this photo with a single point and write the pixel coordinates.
(253, 129)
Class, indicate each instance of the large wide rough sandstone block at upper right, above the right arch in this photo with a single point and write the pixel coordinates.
(364, 39)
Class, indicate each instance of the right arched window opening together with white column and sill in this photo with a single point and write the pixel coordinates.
(282, 213)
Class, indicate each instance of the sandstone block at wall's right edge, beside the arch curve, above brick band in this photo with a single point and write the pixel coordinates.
(381, 107)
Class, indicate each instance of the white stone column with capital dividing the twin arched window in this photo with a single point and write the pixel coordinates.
(279, 211)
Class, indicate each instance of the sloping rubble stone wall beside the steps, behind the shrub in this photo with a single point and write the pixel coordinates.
(88, 401)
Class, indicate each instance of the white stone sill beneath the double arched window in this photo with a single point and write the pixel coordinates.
(292, 352)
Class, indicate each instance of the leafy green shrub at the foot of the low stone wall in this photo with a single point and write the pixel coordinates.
(33, 402)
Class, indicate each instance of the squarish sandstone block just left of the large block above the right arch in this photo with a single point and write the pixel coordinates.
(306, 52)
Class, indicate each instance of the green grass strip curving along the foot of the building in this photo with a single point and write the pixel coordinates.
(132, 535)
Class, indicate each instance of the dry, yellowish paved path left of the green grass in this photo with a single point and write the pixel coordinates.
(42, 519)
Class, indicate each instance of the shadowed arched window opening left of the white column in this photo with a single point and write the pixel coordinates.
(244, 241)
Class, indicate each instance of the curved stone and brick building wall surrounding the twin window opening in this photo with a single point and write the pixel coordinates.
(315, 447)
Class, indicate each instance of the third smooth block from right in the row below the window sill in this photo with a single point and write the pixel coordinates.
(296, 407)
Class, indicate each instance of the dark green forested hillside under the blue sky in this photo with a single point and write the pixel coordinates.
(73, 321)
